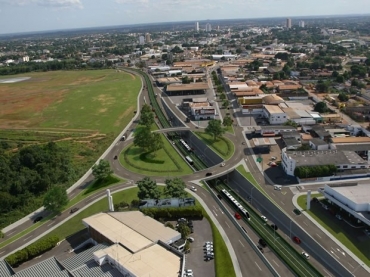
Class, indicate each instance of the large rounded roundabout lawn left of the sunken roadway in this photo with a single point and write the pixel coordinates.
(165, 162)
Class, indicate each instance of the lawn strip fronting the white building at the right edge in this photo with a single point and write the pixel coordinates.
(358, 246)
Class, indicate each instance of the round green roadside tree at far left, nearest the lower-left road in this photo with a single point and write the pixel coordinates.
(55, 199)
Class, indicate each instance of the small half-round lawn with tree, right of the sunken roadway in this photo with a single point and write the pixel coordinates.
(222, 146)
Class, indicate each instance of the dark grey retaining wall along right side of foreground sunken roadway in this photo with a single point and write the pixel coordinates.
(245, 189)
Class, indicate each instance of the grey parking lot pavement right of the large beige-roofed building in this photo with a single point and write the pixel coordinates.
(195, 259)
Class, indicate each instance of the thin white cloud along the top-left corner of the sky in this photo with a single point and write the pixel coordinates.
(47, 3)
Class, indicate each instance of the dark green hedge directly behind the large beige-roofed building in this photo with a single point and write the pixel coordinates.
(174, 213)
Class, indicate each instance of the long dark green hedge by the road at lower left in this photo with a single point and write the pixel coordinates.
(33, 250)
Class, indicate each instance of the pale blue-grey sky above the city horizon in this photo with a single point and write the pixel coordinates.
(40, 15)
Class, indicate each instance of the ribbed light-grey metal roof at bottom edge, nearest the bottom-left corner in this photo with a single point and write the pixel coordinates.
(47, 268)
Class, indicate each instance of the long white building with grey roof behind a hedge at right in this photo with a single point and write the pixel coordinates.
(344, 160)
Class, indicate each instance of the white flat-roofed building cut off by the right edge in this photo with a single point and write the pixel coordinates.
(351, 198)
